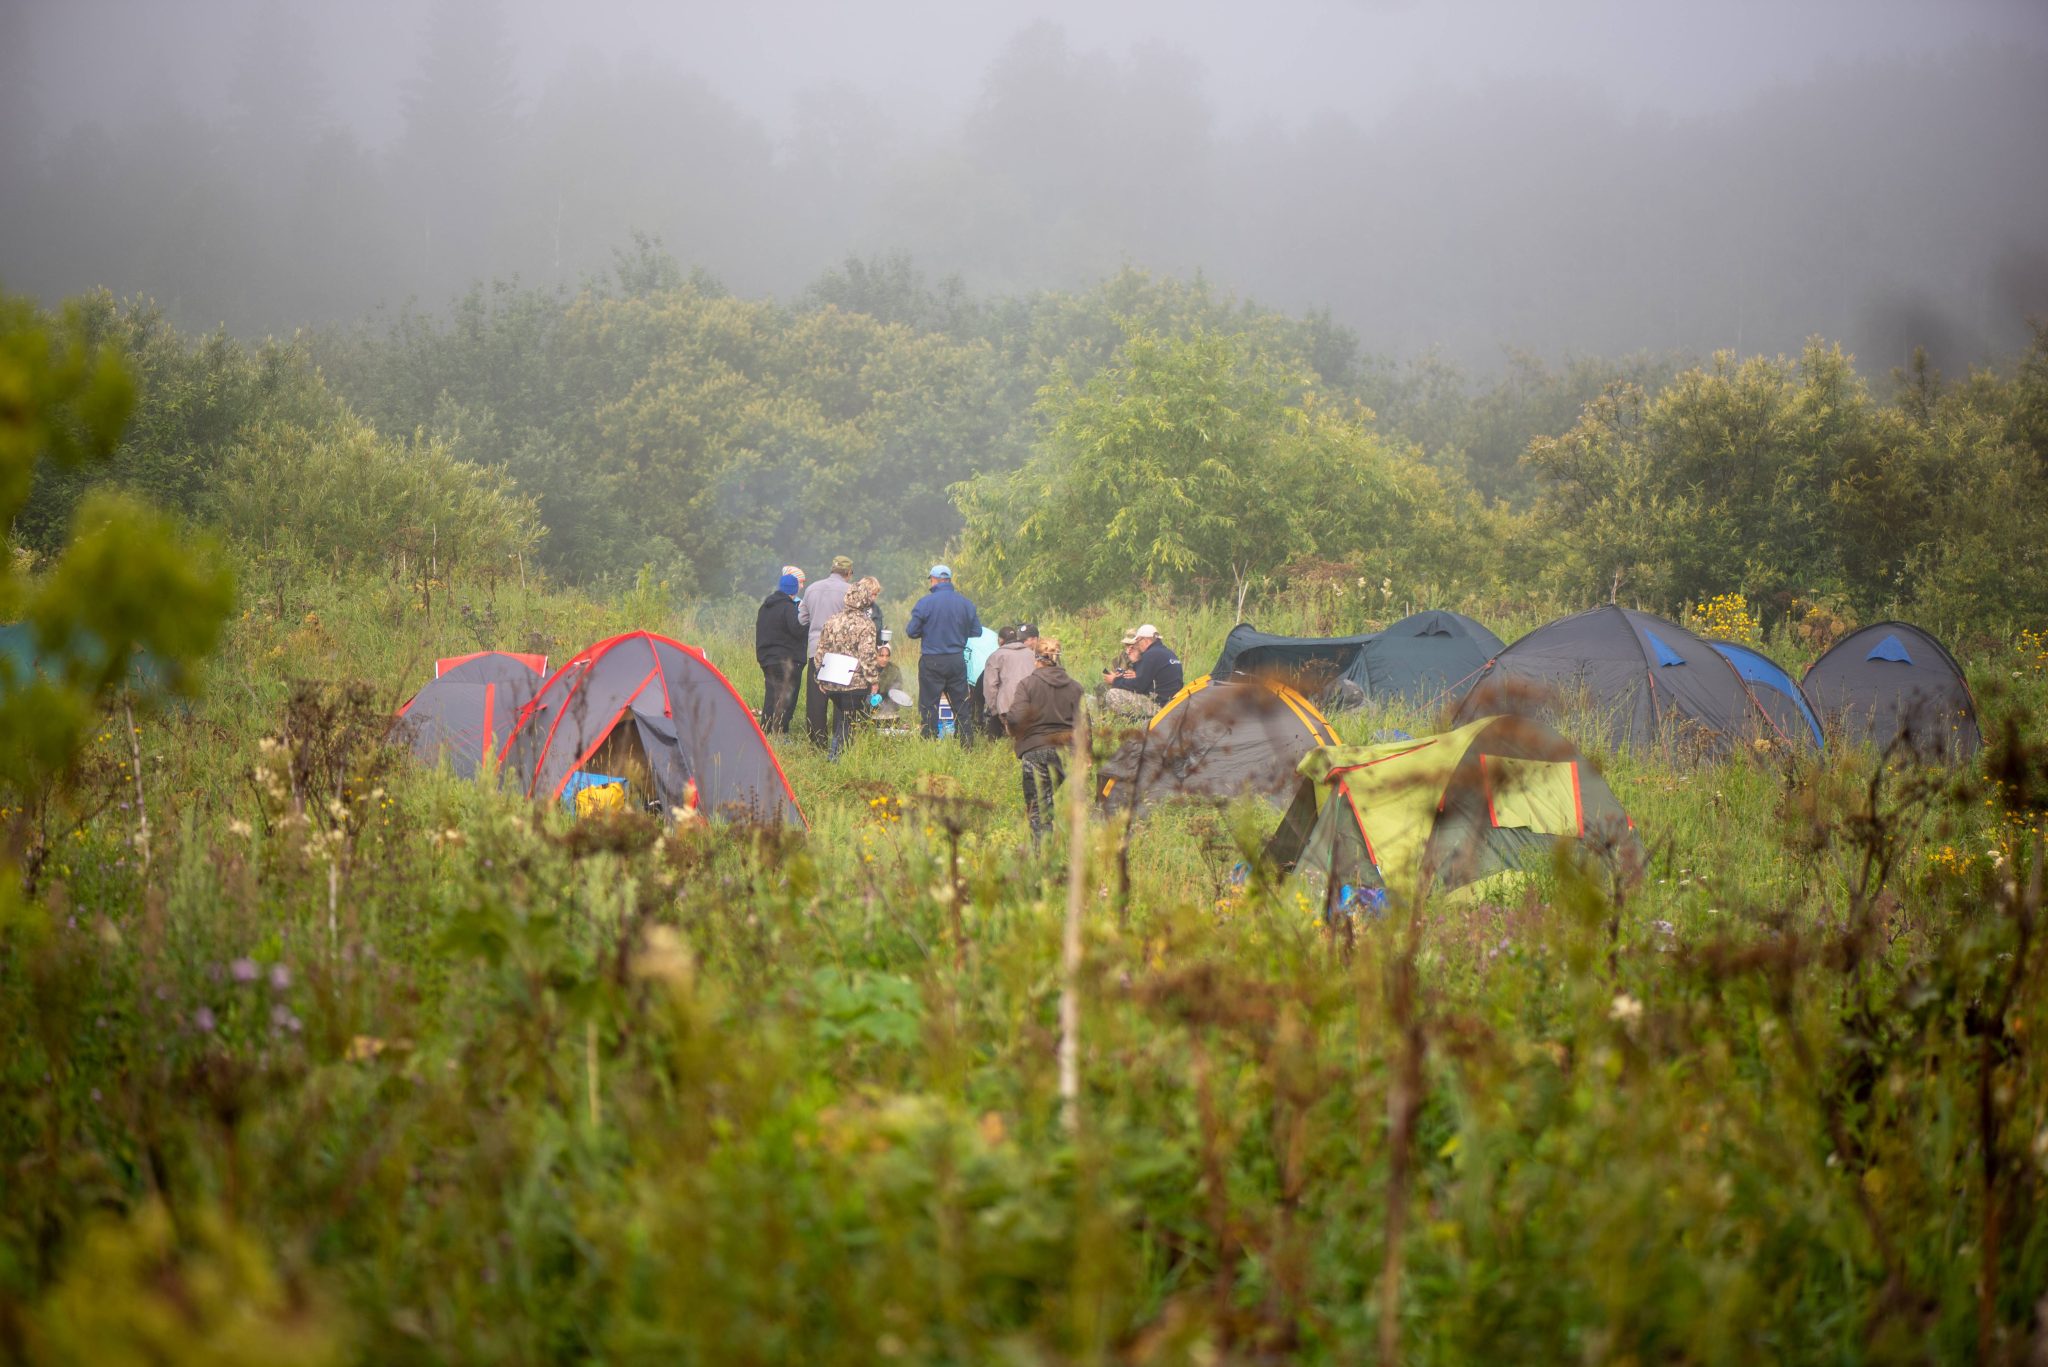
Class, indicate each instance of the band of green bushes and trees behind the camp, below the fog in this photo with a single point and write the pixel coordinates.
(1148, 433)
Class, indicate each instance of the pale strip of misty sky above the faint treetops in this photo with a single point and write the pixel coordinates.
(1285, 60)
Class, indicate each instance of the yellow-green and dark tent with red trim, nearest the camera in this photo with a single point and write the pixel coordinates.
(1435, 815)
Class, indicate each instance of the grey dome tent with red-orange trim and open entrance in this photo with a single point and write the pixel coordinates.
(658, 714)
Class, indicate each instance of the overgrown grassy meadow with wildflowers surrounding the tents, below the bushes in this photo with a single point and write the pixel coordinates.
(353, 1063)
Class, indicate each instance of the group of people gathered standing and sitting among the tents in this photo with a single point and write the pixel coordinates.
(828, 643)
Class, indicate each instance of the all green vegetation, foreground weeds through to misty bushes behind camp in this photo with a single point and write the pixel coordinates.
(308, 1054)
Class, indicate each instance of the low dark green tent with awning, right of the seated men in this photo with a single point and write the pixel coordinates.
(1416, 661)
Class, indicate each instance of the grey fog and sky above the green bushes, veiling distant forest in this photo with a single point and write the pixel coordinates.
(1578, 177)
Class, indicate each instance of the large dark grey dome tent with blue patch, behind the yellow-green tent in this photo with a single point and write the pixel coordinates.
(1641, 675)
